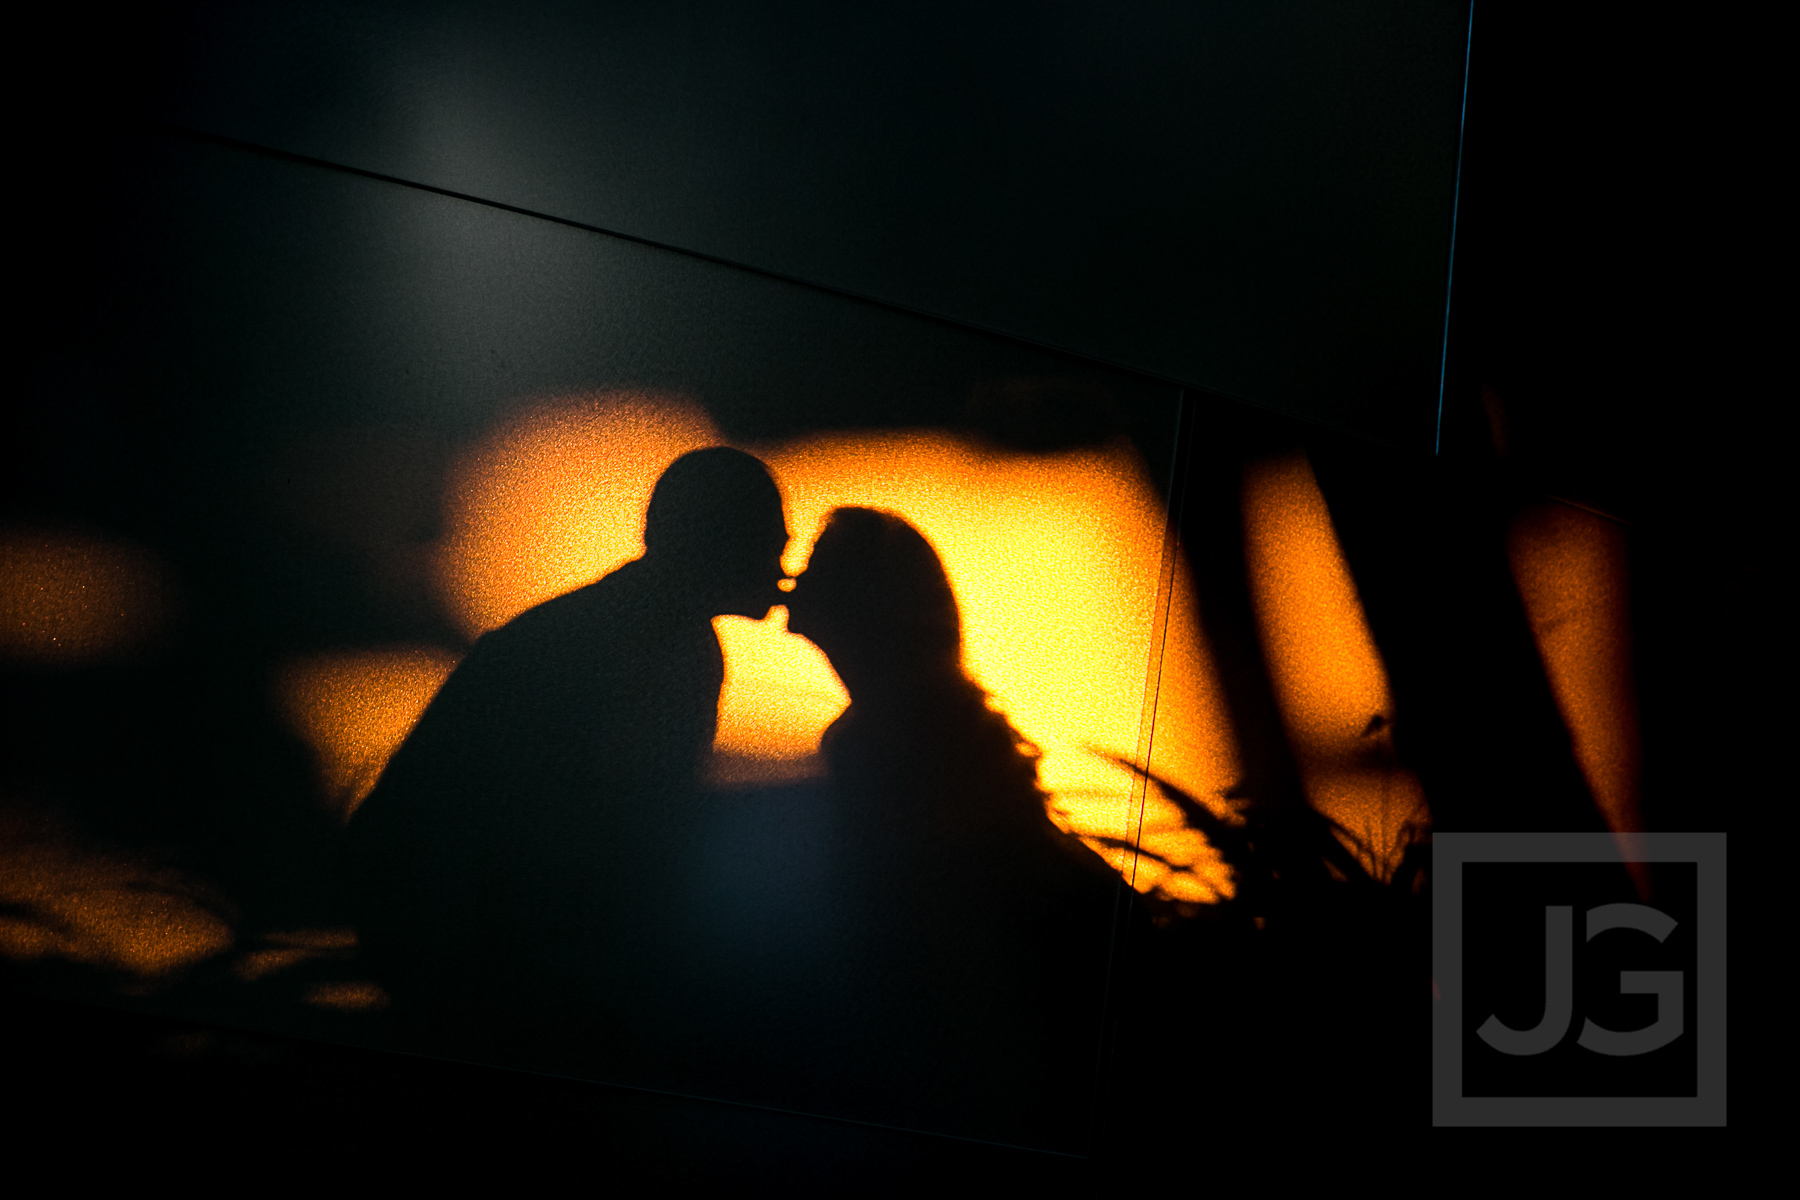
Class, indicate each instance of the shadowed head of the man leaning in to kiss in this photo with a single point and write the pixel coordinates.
(715, 524)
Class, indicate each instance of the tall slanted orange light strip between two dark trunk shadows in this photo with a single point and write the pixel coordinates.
(1329, 679)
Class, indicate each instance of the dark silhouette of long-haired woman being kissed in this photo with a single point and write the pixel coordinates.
(985, 927)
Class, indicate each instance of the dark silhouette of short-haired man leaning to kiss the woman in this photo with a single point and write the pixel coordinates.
(512, 855)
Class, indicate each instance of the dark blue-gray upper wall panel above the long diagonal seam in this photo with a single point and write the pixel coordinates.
(1254, 201)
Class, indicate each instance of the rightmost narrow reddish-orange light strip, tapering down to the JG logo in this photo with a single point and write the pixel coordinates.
(1570, 569)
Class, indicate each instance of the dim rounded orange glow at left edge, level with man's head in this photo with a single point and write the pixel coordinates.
(73, 598)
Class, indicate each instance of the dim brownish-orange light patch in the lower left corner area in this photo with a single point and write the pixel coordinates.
(118, 913)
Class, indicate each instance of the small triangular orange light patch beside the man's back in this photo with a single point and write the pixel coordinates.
(355, 708)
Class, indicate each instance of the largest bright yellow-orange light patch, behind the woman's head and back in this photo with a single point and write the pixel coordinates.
(1056, 564)
